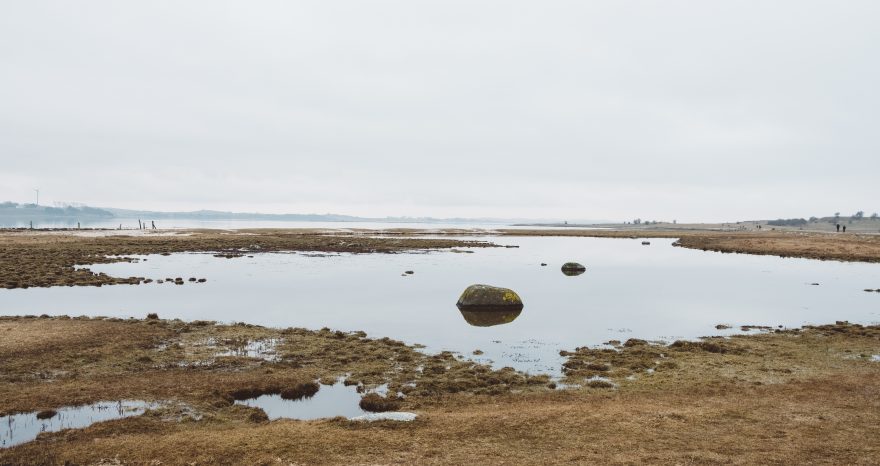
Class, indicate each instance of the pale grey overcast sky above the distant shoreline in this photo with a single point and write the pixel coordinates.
(688, 110)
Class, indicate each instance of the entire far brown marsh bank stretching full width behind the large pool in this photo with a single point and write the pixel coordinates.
(30, 258)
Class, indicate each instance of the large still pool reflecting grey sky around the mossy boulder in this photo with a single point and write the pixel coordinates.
(629, 290)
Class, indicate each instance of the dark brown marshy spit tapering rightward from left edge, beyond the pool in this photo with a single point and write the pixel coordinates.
(50, 258)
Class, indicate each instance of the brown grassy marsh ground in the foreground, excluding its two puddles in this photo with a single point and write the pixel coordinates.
(782, 396)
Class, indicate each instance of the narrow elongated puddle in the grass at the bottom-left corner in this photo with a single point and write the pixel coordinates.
(16, 429)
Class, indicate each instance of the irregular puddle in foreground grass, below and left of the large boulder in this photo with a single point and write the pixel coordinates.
(330, 401)
